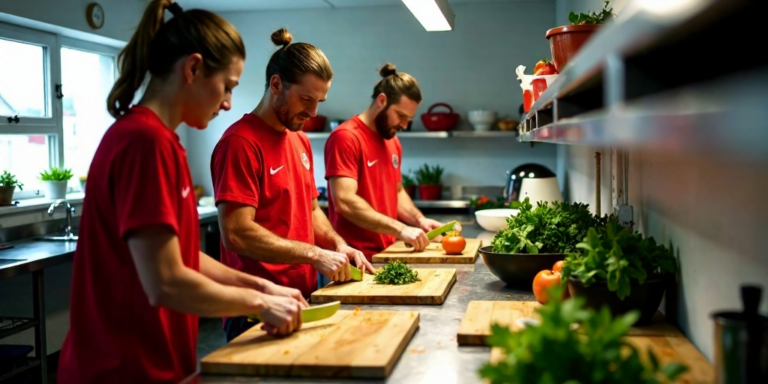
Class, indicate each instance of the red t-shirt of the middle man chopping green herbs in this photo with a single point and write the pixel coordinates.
(256, 165)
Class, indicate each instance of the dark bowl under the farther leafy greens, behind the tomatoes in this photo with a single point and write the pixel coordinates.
(518, 269)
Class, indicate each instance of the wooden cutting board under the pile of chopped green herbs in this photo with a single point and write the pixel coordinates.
(432, 289)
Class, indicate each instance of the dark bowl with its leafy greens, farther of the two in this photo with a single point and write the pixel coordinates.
(535, 239)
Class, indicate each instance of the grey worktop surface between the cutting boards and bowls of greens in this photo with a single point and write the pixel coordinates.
(433, 355)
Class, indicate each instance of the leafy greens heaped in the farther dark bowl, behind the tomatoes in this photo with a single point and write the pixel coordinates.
(546, 229)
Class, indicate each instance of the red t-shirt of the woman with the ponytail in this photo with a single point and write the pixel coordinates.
(138, 177)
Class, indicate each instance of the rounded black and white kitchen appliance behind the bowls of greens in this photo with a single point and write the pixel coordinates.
(515, 179)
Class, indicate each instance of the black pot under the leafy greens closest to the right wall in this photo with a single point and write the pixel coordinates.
(644, 297)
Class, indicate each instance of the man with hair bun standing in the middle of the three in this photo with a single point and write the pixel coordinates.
(263, 181)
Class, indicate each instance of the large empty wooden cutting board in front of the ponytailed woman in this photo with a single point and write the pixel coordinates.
(354, 344)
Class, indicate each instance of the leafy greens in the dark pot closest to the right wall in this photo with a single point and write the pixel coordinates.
(613, 255)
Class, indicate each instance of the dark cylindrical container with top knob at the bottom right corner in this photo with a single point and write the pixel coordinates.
(741, 342)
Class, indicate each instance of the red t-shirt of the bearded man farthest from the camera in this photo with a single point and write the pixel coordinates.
(354, 150)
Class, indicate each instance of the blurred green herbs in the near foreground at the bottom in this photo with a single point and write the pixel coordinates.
(552, 353)
